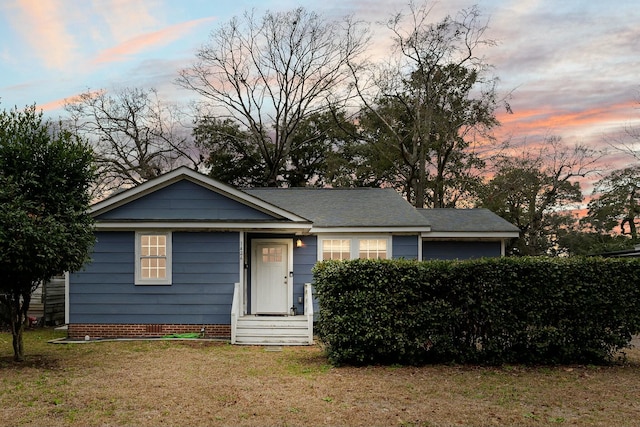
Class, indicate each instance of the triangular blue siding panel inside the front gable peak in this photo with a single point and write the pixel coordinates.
(184, 200)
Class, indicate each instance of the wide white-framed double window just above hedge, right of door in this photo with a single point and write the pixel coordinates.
(369, 247)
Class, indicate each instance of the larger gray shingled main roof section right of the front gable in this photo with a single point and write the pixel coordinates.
(344, 207)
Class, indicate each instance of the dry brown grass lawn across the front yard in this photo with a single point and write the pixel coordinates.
(152, 383)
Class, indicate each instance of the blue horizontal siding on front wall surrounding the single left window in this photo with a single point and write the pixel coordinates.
(205, 268)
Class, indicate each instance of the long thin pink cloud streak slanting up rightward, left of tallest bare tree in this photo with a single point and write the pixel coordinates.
(148, 40)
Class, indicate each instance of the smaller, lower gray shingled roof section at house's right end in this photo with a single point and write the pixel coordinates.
(461, 220)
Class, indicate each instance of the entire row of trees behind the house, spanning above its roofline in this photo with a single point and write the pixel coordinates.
(290, 99)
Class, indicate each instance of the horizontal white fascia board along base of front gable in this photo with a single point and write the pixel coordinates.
(201, 225)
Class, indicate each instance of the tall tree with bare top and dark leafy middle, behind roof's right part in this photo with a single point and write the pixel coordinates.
(430, 102)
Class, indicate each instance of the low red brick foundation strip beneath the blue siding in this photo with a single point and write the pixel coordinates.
(102, 330)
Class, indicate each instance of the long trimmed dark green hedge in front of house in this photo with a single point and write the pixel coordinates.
(487, 311)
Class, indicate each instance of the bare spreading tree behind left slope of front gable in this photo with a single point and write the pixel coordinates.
(136, 136)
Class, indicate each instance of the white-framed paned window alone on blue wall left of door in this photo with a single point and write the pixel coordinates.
(153, 258)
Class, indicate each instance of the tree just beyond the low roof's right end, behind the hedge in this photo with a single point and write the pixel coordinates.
(534, 189)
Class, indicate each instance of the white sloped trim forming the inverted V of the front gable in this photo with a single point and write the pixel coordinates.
(197, 178)
